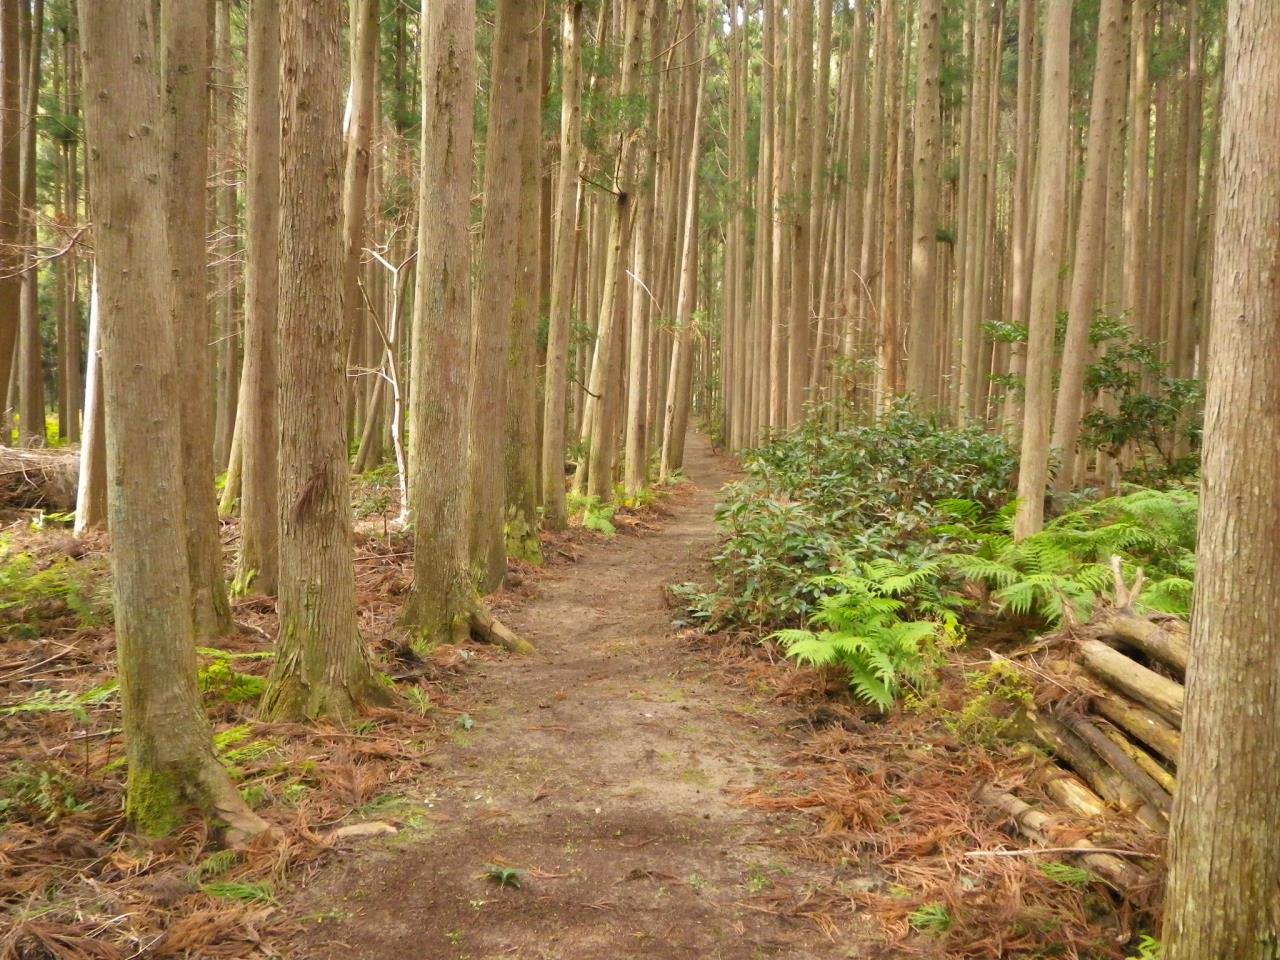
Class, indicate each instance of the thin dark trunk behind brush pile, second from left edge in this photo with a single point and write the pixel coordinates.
(31, 381)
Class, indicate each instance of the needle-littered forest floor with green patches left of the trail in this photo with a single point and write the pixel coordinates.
(74, 883)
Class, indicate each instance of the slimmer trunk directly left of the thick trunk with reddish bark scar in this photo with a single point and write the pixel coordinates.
(260, 536)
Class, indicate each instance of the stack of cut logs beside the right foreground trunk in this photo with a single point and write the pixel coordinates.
(1109, 716)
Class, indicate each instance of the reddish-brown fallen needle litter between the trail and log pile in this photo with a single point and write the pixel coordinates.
(895, 817)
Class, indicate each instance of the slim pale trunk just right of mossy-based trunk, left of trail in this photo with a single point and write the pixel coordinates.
(564, 275)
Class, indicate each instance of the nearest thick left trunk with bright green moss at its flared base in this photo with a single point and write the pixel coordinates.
(171, 757)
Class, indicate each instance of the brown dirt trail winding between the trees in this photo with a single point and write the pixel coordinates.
(607, 770)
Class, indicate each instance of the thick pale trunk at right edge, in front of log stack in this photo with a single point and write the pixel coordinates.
(1226, 866)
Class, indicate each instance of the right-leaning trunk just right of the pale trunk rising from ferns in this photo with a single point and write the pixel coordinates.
(1087, 266)
